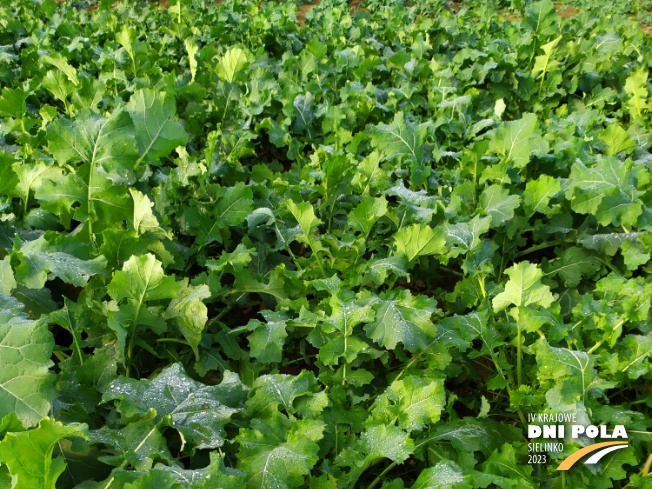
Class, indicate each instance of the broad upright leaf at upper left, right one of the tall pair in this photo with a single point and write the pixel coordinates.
(157, 133)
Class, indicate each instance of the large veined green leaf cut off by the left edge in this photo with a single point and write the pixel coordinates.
(25, 350)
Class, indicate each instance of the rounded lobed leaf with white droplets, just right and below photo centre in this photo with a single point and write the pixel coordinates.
(402, 318)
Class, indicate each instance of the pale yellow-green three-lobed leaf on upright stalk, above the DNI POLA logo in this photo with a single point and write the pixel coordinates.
(523, 288)
